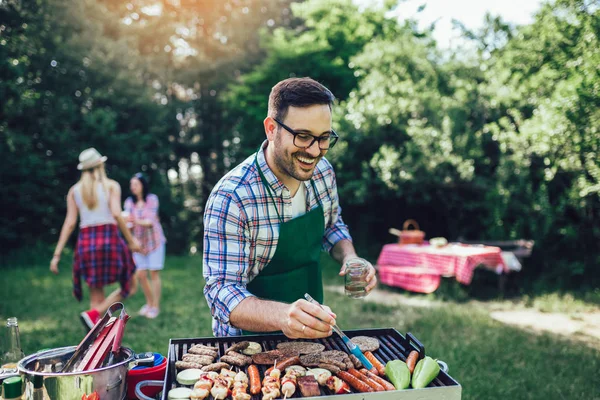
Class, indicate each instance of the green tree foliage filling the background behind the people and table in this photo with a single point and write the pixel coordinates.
(496, 140)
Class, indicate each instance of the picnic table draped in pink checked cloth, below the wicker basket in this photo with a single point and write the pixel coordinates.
(419, 268)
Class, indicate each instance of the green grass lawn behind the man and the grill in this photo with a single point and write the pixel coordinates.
(489, 359)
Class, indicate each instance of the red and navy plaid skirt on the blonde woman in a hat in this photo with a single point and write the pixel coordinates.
(101, 258)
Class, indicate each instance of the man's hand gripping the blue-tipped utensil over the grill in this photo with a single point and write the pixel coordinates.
(307, 320)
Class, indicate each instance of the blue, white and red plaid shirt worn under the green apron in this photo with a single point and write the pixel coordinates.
(241, 231)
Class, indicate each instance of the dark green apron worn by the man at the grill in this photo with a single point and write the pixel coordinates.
(295, 268)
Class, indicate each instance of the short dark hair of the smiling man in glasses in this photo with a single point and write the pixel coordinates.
(297, 92)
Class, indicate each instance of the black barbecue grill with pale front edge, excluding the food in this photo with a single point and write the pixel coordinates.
(394, 346)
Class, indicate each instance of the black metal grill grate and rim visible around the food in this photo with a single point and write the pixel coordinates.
(393, 346)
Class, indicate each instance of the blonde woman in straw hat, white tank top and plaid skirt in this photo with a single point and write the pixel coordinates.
(101, 256)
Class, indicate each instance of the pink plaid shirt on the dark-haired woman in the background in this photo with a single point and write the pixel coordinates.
(150, 237)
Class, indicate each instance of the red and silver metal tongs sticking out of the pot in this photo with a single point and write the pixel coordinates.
(106, 336)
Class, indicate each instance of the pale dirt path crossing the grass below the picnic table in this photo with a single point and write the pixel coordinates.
(584, 327)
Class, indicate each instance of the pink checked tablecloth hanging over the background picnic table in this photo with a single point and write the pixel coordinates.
(452, 260)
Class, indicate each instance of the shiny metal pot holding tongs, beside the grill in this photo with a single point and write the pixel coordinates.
(42, 371)
